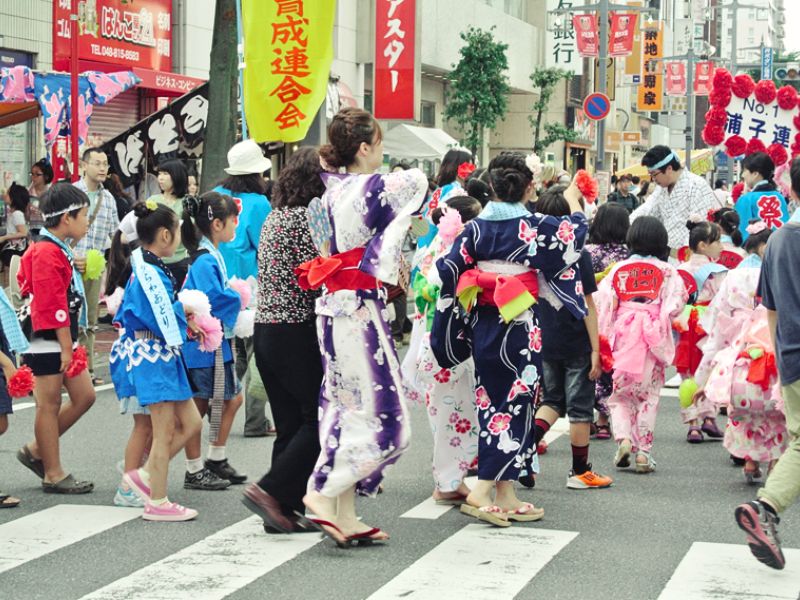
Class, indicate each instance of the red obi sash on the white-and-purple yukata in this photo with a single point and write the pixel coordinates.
(337, 272)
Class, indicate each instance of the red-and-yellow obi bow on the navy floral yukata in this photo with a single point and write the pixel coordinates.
(511, 294)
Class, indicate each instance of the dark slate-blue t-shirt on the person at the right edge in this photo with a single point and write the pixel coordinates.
(779, 288)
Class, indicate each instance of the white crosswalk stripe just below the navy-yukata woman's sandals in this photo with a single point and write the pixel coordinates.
(496, 562)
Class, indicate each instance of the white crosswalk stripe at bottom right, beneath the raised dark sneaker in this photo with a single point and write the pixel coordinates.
(730, 571)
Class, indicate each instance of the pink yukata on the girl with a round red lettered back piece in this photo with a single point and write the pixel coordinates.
(639, 331)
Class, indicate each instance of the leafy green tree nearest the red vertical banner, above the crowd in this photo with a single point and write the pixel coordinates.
(478, 95)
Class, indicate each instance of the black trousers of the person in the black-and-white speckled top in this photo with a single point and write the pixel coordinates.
(288, 359)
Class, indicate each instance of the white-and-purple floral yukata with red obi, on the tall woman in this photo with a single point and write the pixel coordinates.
(364, 425)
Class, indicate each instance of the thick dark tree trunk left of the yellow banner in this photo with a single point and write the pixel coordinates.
(223, 84)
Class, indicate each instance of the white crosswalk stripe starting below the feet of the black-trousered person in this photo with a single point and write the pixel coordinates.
(213, 568)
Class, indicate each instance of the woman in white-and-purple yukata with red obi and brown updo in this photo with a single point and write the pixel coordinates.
(359, 225)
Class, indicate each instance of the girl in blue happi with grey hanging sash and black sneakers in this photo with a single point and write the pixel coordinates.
(209, 221)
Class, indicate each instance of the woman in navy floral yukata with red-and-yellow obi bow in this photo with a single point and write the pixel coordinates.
(497, 267)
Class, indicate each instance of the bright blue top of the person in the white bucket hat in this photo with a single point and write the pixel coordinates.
(241, 254)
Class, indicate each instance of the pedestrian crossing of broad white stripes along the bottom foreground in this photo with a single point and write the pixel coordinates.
(475, 561)
